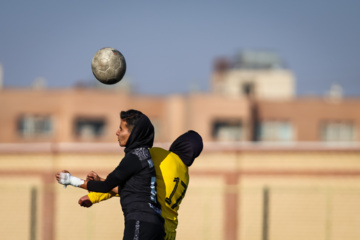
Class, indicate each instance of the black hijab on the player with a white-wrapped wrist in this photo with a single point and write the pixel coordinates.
(142, 134)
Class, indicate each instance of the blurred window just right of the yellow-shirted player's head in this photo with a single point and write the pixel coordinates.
(227, 130)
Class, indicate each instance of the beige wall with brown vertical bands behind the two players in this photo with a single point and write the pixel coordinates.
(313, 193)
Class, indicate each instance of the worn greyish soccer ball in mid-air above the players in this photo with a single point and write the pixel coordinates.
(108, 65)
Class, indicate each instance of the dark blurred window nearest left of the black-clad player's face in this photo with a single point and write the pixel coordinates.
(88, 128)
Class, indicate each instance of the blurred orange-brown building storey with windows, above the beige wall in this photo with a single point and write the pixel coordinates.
(90, 115)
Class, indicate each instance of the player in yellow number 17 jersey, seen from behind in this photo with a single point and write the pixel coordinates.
(172, 178)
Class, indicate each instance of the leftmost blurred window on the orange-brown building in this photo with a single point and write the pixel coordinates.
(35, 126)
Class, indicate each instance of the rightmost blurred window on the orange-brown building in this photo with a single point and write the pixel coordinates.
(338, 131)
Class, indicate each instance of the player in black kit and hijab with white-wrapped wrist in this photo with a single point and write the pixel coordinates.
(135, 178)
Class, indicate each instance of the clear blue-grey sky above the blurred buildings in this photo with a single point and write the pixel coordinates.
(171, 45)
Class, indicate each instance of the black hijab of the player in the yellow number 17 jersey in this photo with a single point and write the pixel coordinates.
(188, 147)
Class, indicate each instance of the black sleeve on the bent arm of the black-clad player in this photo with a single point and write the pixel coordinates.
(129, 166)
